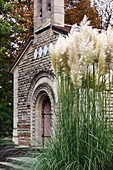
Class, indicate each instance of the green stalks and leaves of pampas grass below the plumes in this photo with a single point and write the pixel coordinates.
(83, 139)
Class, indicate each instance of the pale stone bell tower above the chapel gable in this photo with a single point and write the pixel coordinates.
(48, 11)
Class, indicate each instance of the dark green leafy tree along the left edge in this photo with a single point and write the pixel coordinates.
(7, 28)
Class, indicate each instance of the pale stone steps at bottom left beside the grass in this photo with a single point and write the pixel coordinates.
(17, 163)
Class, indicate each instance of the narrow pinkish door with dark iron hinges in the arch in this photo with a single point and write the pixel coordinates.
(46, 120)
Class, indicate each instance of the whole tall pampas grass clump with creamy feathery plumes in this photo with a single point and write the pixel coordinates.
(83, 139)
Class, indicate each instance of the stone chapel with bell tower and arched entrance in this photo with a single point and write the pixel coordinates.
(35, 97)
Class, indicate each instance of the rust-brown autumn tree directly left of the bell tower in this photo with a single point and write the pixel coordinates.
(23, 12)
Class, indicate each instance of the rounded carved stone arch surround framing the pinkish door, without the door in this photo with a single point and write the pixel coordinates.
(42, 87)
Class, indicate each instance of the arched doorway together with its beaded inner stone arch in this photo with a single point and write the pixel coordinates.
(43, 96)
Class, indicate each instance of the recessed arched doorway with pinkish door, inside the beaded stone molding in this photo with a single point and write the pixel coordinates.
(42, 119)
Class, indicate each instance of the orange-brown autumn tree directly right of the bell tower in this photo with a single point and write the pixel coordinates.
(76, 9)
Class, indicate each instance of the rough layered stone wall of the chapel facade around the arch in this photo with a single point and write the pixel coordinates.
(30, 70)
